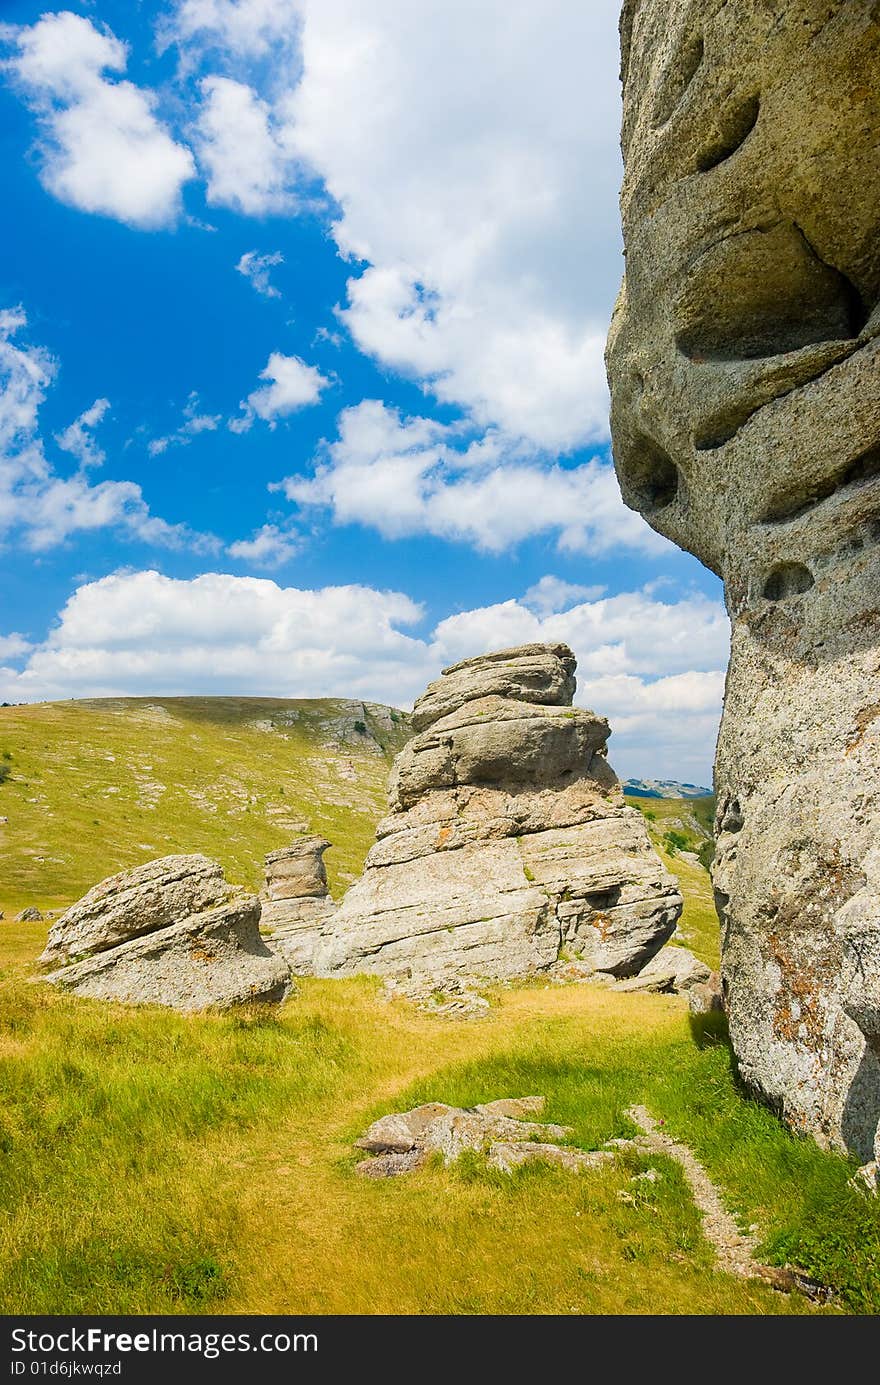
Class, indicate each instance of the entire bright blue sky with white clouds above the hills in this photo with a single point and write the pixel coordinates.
(303, 307)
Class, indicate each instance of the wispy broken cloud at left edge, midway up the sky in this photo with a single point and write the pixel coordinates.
(37, 503)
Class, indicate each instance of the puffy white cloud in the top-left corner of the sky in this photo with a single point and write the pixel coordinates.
(103, 148)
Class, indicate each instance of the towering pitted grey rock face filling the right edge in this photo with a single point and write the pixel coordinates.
(745, 368)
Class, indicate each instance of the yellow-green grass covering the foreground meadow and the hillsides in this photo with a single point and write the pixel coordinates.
(153, 1163)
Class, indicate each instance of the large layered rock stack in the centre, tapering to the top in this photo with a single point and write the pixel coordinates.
(508, 844)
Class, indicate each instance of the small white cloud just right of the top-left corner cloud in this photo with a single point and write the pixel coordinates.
(242, 152)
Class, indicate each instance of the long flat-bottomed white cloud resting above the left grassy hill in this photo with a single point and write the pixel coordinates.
(138, 632)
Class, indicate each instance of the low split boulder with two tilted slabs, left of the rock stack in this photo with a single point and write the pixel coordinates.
(171, 933)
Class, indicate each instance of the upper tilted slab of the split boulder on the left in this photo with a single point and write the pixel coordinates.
(137, 902)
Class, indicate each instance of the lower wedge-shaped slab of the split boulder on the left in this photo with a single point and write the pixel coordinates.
(214, 959)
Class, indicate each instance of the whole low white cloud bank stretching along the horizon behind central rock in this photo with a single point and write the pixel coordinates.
(653, 668)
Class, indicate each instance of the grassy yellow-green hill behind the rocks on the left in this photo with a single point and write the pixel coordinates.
(98, 786)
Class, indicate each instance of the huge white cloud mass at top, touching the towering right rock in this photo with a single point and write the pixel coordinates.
(473, 154)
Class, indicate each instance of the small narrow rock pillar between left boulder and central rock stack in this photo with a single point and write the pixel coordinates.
(297, 902)
